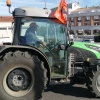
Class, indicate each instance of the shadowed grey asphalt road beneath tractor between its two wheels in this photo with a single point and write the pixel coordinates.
(67, 92)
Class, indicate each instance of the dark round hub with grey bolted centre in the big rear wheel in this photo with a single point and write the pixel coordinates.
(18, 79)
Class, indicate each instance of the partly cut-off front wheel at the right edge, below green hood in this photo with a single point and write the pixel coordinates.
(93, 81)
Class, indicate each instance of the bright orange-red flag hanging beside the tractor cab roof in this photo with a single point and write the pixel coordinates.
(61, 10)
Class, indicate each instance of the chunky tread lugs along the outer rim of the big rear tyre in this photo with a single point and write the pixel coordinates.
(28, 55)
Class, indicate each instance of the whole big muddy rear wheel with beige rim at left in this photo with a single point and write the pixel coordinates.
(21, 76)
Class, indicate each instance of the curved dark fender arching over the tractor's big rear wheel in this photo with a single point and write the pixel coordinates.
(6, 48)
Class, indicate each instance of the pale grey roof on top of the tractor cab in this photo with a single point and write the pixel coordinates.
(33, 12)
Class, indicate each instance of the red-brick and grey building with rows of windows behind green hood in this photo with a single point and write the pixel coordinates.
(85, 21)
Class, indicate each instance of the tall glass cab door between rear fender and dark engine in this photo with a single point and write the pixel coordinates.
(57, 58)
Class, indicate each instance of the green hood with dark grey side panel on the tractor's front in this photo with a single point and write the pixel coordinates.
(84, 50)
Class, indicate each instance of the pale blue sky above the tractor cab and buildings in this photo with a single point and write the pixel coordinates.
(41, 4)
